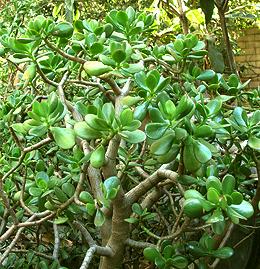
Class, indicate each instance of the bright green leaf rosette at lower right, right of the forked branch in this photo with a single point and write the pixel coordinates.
(222, 200)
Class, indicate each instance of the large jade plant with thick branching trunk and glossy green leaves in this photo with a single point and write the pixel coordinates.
(118, 146)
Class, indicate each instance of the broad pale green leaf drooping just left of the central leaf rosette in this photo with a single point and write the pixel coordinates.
(64, 137)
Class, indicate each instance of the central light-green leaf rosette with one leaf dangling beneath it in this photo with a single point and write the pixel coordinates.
(102, 123)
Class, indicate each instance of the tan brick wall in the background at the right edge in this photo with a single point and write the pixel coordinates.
(249, 60)
